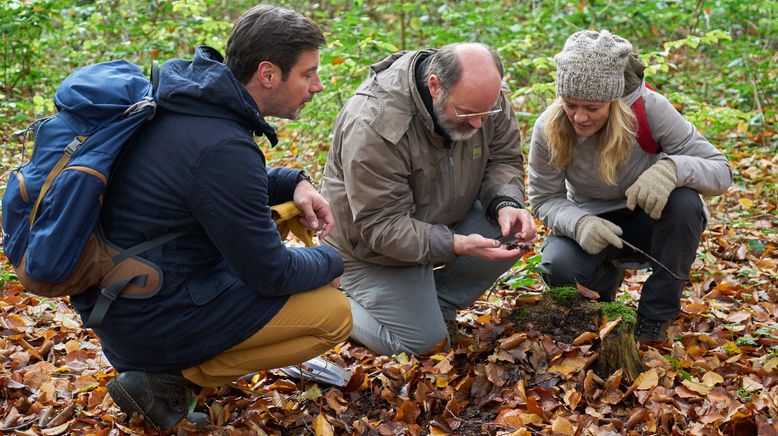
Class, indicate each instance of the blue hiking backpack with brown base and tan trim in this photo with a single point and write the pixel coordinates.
(51, 205)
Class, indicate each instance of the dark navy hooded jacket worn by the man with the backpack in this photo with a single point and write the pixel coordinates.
(196, 166)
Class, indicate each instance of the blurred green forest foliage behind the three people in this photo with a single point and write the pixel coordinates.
(714, 59)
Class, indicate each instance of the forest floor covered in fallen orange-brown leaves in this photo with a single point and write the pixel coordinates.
(718, 376)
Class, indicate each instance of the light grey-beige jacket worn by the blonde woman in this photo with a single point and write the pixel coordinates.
(561, 198)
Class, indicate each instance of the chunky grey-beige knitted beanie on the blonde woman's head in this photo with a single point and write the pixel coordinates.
(591, 66)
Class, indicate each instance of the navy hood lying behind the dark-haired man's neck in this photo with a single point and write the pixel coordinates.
(206, 87)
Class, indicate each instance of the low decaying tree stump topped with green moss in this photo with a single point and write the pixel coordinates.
(564, 314)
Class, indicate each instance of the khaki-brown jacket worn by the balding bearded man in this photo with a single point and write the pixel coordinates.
(394, 186)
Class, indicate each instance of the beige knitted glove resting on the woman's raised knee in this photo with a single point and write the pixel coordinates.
(651, 190)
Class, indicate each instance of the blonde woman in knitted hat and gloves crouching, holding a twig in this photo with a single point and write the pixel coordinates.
(592, 184)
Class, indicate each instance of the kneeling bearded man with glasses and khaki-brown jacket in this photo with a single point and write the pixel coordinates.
(426, 180)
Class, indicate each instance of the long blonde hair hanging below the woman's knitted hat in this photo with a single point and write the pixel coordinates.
(616, 140)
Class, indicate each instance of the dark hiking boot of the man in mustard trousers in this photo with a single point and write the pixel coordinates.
(162, 399)
